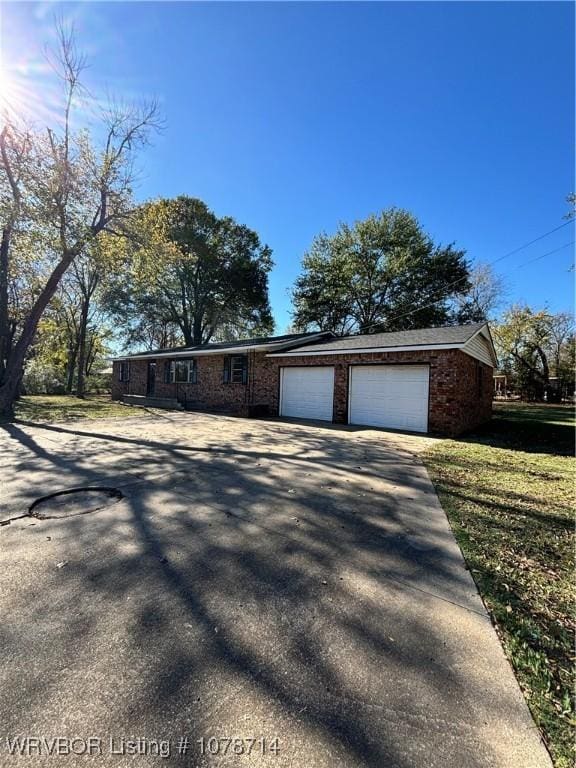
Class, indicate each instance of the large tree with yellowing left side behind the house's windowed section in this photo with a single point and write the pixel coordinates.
(193, 277)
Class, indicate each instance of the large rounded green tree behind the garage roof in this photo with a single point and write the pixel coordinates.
(382, 273)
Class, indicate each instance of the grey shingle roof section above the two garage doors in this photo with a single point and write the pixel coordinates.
(453, 334)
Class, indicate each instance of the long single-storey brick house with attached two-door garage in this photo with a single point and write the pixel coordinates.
(436, 380)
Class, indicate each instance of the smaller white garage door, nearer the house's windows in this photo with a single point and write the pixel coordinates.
(307, 392)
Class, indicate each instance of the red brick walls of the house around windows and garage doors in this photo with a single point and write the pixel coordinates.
(457, 400)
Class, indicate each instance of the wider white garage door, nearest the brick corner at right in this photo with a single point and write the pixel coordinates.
(392, 396)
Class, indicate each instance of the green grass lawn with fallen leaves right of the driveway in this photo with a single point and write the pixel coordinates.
(508, 491)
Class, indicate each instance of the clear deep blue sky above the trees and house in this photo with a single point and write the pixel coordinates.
(292, 117)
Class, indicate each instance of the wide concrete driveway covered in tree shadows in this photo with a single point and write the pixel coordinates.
(295, 588)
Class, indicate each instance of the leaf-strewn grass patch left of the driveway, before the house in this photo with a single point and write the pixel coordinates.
(65, 408)
